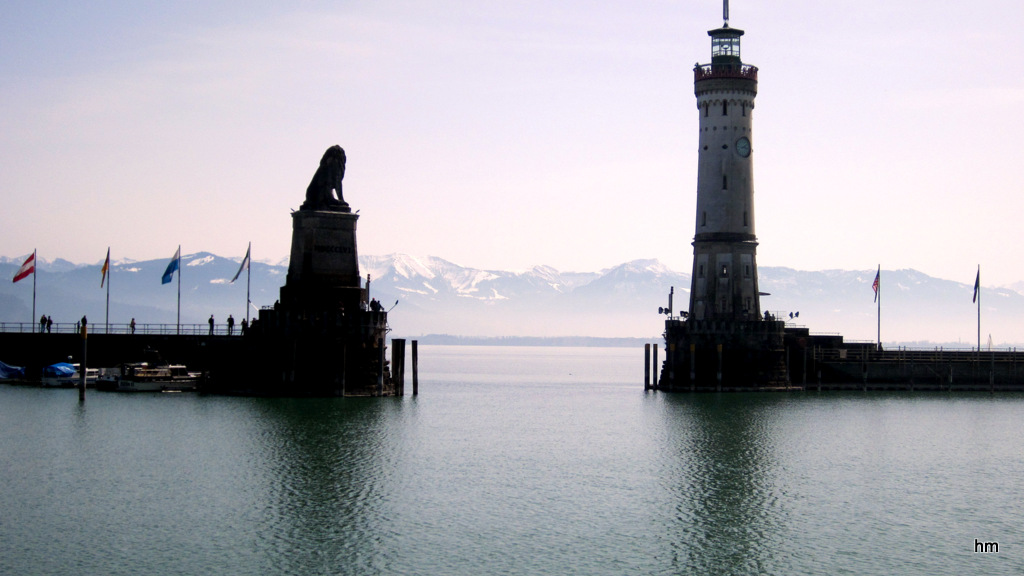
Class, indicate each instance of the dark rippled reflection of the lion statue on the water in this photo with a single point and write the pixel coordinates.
(327, 463)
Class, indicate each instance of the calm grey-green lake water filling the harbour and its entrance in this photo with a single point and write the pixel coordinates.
(513, 461)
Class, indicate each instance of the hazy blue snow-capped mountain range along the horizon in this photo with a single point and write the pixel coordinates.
(437, 297)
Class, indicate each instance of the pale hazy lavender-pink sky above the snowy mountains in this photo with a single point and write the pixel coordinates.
(507, 135)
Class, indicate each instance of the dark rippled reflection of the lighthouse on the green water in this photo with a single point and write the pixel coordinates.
(730, 518)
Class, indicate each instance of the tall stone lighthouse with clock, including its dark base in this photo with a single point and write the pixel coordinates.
(723, 341)
